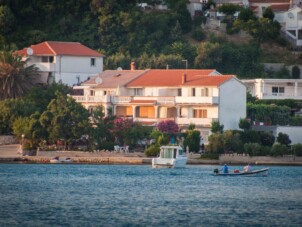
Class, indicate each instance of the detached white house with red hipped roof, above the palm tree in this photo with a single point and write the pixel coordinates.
(63, 62)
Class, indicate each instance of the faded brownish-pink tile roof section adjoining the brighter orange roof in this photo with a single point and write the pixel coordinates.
(114, 78)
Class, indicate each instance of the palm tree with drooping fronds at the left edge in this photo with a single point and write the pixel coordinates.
(15, 77)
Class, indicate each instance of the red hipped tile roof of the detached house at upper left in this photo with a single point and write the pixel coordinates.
(51, 48)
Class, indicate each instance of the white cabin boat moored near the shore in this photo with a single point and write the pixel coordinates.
(170, 157)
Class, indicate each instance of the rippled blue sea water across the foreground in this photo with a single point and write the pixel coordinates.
(129, 195)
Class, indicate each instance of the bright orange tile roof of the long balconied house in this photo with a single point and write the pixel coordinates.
(173, 78)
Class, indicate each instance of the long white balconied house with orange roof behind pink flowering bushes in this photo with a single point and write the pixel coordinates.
(187, 96)
